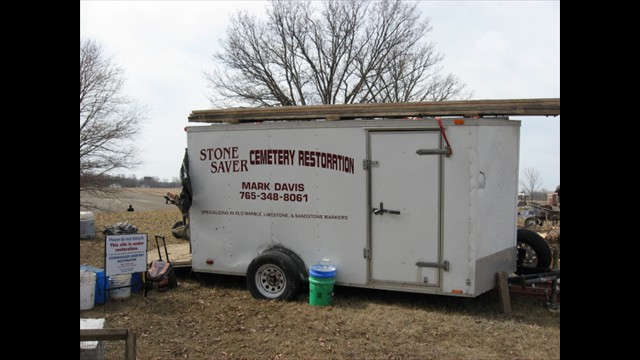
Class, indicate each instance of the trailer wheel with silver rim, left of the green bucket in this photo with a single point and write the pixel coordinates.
(273, 275)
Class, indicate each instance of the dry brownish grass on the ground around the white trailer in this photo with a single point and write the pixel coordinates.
(214, 316)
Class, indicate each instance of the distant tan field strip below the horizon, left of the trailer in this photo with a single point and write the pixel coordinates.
(142, 199)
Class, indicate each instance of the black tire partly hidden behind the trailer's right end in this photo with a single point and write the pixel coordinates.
(533, 252)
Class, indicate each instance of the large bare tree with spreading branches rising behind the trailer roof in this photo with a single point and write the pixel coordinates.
(350, 51)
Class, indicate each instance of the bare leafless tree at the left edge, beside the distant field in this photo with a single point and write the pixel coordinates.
(108, 120)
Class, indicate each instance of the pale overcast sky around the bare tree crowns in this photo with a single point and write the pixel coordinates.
(500, 49)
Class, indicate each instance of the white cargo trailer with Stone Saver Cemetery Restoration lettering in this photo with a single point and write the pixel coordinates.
(416, 204)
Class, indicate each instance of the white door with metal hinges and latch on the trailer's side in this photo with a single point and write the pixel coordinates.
(405, 207)
